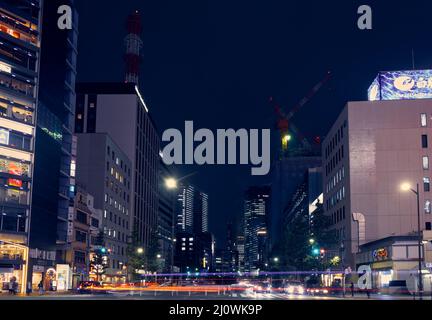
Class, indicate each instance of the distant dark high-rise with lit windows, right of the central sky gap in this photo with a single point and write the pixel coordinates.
(256, 210)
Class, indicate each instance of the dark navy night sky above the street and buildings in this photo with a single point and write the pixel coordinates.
(217, 62)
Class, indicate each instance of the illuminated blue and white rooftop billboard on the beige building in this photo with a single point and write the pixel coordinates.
(401, 85)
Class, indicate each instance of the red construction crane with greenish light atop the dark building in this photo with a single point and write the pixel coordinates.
(284, 123)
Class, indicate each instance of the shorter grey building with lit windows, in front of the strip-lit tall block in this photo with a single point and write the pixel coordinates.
(105, 172)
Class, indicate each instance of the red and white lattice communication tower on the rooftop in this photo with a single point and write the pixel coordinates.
(134, 45)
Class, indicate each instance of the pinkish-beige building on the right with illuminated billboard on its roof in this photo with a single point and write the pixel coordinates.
(371, 150)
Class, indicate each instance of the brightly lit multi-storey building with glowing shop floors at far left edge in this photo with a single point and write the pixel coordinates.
(20, 25)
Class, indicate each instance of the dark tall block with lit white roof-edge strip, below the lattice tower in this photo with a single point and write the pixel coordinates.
(118, 109)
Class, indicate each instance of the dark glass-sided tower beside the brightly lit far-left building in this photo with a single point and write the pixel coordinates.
(53, 177)
